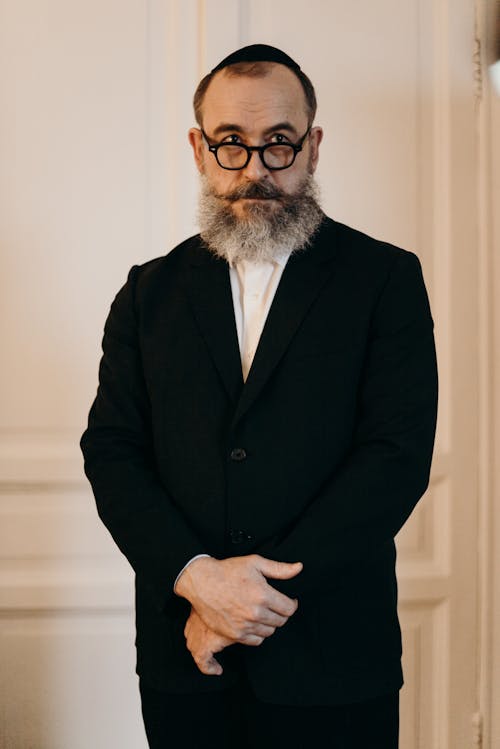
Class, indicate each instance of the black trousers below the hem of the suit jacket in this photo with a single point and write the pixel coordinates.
(235, 719)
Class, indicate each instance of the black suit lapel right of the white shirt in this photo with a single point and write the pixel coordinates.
(303, 278)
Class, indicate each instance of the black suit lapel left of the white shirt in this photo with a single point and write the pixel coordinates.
(209, 290)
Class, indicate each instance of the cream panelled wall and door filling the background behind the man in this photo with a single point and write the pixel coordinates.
(95, 175)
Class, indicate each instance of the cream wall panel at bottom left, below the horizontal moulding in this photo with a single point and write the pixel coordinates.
(65, 681)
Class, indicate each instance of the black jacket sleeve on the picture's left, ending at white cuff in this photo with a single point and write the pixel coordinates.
(119, 460)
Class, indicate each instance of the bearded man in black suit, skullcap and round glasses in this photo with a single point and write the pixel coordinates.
(264, 426)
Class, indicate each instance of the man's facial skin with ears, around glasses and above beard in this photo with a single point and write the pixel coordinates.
(255, 111)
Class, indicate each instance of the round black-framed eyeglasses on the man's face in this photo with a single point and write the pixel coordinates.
(274, 156)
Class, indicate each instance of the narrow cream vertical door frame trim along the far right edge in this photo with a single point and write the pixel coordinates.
(488, 682)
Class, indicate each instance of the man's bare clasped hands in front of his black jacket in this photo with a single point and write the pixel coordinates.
(232, 602)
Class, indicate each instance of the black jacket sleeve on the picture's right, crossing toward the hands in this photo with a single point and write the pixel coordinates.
(369, 497)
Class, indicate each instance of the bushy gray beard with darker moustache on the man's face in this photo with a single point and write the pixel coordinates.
(266, 232)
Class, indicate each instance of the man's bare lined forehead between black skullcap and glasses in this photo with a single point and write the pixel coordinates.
(255, 102)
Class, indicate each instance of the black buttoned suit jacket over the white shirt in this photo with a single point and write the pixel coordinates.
(319, 457)
